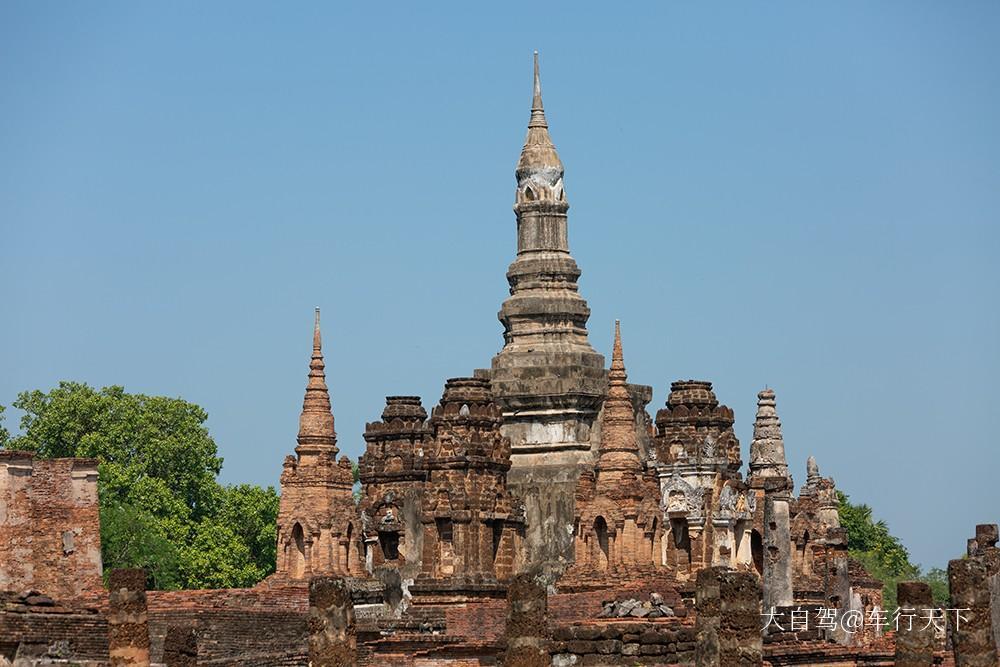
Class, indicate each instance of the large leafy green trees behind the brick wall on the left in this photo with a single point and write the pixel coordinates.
(162, 507)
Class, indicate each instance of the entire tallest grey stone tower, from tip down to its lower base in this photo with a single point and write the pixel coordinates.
(547, 379)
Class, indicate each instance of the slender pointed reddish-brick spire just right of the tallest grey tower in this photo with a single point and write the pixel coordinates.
(619, 451)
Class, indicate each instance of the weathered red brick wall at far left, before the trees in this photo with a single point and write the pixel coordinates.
(50, 537)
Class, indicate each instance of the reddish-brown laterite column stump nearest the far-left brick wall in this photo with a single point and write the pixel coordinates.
(128, 625)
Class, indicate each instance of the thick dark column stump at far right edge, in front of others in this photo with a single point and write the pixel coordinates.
(975, 645)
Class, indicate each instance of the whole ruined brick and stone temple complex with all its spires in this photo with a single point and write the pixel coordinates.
(537, 515)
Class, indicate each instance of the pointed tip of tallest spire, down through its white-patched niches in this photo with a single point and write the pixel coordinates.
(539, 171)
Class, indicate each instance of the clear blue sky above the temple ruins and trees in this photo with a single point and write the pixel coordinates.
(792, 194)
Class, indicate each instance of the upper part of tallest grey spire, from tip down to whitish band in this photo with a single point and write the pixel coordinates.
(547, 367)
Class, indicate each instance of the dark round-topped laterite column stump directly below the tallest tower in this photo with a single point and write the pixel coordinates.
(526, 632)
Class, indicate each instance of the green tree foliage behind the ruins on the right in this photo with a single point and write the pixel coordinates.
(883, 554)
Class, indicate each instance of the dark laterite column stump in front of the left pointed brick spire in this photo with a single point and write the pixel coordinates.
(332, 642)
